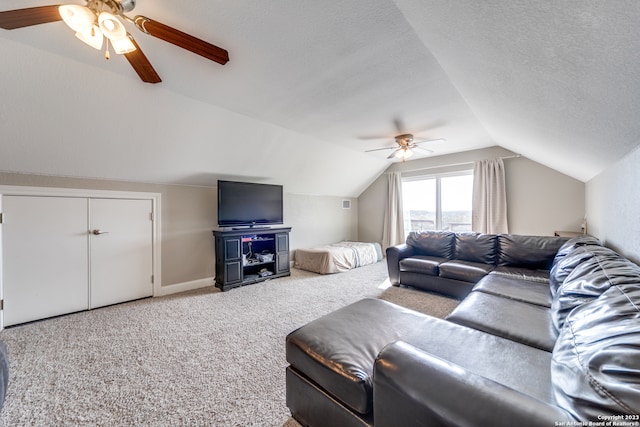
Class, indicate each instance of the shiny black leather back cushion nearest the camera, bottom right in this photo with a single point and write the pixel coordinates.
(596, 362)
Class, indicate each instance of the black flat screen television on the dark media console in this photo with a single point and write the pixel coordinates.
(242, 204)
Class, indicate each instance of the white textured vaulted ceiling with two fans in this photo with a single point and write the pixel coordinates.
(310, 84)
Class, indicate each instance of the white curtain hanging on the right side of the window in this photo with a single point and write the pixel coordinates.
(489, 197)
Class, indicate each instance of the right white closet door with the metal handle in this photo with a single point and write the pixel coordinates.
(121, 255)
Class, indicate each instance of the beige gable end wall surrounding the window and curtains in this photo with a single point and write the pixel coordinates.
(540, 200)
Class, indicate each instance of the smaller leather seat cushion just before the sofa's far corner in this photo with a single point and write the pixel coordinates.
(528, 291)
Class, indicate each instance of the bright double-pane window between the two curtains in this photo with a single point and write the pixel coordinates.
(438, 202)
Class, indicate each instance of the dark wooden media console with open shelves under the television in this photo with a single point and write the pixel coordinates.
(250, 255)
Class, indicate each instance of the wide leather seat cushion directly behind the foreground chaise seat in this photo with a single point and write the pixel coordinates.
(518, 321)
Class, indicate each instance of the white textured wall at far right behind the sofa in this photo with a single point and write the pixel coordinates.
(613, 206)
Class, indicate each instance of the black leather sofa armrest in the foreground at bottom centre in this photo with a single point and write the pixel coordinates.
(415, 388)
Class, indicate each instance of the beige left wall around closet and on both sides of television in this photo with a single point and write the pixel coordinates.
(189, 213)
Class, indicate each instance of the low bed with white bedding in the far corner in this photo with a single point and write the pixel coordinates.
(338, 257)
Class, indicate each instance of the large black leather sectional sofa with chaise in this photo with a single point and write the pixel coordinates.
(552, 338)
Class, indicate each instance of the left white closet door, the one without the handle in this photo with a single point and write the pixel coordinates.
(45, 259)
